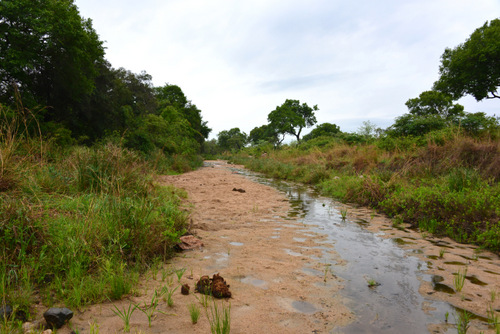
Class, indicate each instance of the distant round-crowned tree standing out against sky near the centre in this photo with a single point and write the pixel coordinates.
(291, 117)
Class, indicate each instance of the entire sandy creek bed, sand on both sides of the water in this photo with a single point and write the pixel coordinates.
(273, 265)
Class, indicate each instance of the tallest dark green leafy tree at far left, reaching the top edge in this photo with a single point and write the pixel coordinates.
(50, 55)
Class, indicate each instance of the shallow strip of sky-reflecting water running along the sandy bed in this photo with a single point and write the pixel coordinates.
(393, 304)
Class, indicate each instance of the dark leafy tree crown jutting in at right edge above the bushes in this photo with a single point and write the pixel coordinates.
(474, 66)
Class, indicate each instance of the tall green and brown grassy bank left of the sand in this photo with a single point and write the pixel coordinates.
(79, 225)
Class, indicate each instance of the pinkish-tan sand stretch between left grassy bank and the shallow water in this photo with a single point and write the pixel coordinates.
(268, 260)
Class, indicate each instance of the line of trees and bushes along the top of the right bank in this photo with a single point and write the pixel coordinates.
(471, 68)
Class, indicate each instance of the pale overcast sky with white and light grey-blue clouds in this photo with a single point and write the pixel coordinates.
(237, 60)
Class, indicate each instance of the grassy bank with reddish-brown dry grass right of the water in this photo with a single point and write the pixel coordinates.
(446, 184)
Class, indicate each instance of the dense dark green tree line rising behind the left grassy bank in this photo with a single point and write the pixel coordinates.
(52, 62)
